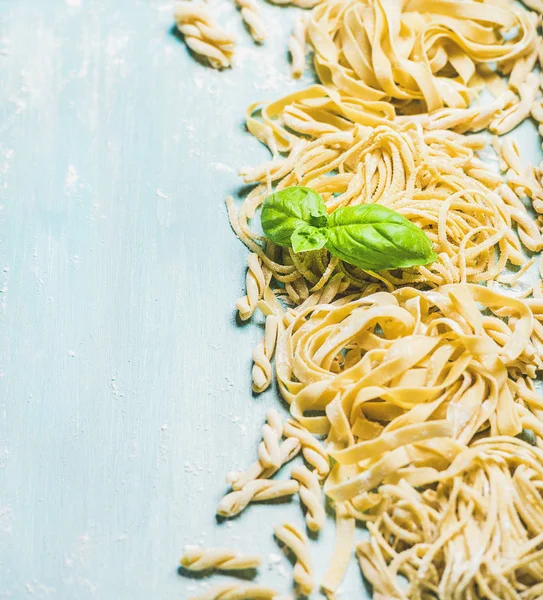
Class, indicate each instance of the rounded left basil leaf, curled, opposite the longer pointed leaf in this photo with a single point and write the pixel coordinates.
(290, 209)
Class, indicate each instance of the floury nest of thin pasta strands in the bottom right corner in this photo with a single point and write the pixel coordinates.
(484, 521)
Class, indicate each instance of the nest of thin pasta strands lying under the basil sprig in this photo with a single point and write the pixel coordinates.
(433, 178)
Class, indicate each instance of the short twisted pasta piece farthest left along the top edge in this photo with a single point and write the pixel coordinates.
(203, 35)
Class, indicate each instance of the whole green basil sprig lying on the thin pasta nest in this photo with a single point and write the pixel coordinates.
(369, 236)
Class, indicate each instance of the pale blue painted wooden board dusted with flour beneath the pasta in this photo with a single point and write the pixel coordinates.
(124, 378)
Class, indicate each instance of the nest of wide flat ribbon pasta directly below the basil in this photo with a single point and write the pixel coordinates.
(400, 383)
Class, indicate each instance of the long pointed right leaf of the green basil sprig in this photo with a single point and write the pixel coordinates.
(375, 238)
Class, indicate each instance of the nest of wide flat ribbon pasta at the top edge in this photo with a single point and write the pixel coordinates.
(427, 53)
